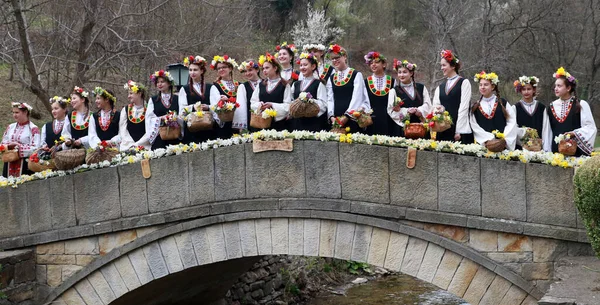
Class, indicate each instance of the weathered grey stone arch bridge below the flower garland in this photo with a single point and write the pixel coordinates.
(486, 230)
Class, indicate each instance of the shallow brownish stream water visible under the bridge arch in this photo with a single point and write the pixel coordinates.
(392, 290)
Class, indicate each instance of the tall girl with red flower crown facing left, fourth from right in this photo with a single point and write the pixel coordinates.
(454, 93)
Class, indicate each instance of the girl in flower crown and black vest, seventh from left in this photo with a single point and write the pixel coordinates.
(195, 96)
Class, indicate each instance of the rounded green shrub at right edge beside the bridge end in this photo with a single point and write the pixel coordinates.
(587, 199)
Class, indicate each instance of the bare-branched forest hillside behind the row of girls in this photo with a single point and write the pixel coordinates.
(49, 46)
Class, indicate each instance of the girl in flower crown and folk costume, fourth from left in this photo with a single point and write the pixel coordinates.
(107, 118)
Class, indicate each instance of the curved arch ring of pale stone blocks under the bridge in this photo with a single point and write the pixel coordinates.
(174, 249)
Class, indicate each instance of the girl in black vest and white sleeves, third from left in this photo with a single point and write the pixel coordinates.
(81, 130)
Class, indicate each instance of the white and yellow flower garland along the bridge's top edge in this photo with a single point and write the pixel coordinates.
(137, 155)
